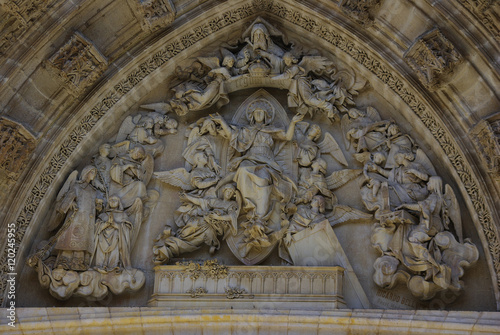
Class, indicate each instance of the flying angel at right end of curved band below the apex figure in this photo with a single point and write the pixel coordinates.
(303, 94)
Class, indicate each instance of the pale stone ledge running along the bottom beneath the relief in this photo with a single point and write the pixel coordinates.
(146, 320)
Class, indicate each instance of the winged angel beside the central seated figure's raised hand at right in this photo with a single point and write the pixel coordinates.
(308, 149)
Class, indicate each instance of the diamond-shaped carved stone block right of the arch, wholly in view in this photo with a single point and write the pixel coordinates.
(433, 58)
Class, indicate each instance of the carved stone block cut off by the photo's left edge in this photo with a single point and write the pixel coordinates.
(16, 146)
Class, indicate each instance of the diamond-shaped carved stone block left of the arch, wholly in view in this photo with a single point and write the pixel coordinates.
(78, 63)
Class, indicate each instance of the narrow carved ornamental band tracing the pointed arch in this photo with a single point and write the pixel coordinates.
(188, 39)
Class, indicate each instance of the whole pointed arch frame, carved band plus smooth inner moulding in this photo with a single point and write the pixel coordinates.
(122, 87)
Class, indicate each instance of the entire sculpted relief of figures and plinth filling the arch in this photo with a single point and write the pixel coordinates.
(238, 184)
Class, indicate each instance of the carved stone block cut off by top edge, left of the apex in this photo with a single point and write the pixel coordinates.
(153, 14)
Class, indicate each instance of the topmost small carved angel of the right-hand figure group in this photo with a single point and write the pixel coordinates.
(364, 130)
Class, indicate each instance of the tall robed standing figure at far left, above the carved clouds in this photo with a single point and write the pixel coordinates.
(76, 205)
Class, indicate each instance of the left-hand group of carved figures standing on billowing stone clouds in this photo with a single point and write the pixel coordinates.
(98, 215)
